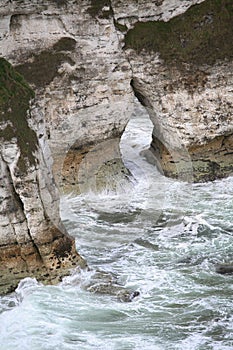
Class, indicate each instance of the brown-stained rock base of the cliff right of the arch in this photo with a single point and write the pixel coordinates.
(207, 162)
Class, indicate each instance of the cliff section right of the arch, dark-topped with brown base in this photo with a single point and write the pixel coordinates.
(182, 73)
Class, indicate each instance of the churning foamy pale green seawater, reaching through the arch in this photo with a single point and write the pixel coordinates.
(160, 237)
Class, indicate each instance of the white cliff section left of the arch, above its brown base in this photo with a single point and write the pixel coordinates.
(69, 53)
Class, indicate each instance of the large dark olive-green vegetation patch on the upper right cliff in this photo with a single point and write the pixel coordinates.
(202, 35)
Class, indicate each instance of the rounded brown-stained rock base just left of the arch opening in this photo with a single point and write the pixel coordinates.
(94, 167)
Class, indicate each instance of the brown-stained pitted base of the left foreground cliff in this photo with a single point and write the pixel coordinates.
(18, 262)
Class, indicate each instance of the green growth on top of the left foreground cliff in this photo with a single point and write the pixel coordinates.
(15, 96)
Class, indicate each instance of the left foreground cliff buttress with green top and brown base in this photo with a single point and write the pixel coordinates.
(33, 241)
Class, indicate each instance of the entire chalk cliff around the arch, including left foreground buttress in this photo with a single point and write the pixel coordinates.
(86, 60)
